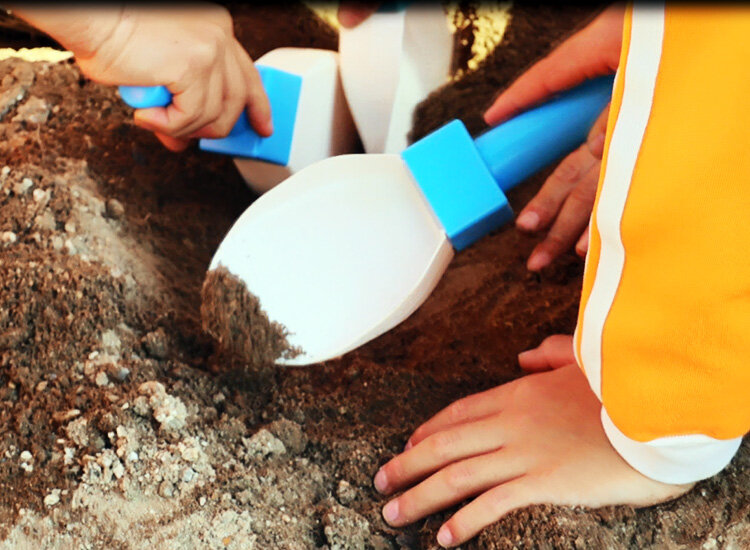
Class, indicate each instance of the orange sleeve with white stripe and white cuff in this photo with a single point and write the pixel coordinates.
(662, 333)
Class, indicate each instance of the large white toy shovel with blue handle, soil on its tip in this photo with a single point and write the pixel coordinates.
(352, 245)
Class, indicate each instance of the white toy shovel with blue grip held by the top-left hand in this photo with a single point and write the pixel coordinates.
(310, 116)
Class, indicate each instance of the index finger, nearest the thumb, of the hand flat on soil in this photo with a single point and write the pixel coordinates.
(459, 412)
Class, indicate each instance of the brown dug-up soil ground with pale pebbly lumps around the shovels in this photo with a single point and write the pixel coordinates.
(121, 427)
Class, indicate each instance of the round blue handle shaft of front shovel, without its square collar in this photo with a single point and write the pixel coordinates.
(525, 144)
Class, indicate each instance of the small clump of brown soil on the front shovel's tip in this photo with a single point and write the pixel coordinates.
(239, 326)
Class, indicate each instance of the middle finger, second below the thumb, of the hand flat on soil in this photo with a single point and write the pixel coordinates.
(439, 450)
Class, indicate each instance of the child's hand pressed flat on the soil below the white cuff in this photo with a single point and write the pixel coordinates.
(536, 440)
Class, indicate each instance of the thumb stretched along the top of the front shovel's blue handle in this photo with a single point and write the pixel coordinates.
(594, 51)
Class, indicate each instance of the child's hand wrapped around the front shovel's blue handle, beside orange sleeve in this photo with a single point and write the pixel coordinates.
(567, 197)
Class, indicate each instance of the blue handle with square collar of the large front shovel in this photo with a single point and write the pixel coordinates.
(464, 180)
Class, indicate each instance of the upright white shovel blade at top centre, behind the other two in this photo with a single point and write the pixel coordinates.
(389, 63)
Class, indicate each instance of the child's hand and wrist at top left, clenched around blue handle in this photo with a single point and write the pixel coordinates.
(191, 50)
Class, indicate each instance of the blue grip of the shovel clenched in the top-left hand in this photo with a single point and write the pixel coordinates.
(283, 90)
